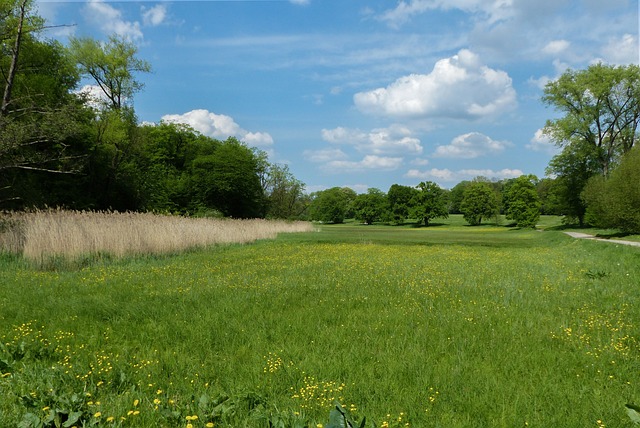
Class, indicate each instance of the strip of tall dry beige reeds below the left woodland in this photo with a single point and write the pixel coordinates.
(41, 235)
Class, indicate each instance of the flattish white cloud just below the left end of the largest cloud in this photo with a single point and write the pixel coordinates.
(395, 139)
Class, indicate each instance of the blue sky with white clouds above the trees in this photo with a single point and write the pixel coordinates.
(364, 93)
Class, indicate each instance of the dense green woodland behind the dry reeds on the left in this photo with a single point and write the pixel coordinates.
(60, 147)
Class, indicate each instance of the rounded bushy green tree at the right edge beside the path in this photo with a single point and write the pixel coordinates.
(614, 202)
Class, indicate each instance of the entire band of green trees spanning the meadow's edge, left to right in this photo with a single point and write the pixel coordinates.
(60, 147)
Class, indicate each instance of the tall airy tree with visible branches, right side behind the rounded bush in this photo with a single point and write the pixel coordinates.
(601, 113)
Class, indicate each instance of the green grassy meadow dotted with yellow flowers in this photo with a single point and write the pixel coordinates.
(446, 326)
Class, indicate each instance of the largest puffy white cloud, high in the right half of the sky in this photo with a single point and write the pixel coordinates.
(458, 87)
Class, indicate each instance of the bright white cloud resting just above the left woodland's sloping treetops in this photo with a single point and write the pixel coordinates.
(218, 126)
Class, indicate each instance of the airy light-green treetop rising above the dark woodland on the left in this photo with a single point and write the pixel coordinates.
(112, 66)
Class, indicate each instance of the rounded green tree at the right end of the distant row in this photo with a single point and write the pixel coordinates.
(521, 201)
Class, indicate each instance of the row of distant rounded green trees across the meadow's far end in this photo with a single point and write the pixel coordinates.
(478, 200)
